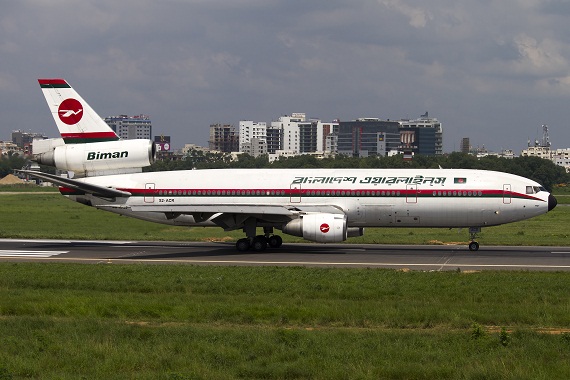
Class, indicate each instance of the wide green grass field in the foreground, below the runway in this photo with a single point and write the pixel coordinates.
(69, 321)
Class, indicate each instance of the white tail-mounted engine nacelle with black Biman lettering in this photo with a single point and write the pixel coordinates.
(100, 157)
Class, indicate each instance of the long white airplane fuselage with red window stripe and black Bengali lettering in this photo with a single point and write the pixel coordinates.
(368, 197)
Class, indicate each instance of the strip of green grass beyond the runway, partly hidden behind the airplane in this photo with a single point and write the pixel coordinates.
(55, 217)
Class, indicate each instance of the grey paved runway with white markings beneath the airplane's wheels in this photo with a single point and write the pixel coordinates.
(412, 257)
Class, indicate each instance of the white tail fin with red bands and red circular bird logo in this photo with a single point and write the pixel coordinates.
(77, 122)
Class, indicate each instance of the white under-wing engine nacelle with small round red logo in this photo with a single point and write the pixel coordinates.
(320, 228)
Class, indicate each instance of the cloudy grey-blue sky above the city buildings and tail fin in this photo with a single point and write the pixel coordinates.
(490, 70)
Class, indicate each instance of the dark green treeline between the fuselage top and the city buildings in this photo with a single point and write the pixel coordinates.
(543, 171)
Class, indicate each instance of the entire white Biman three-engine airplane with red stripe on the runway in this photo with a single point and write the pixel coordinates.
(320, 205)
